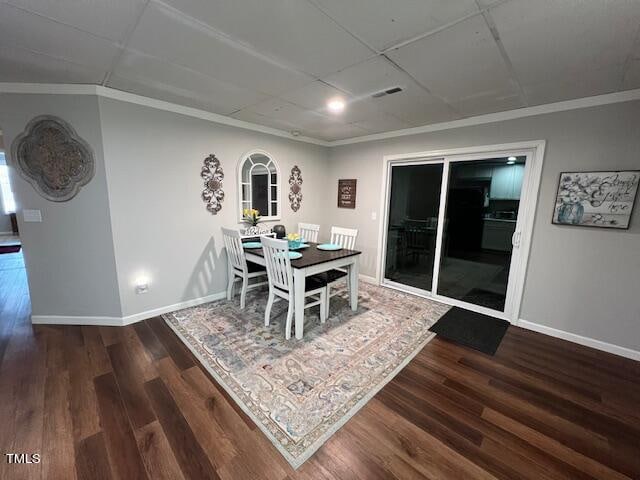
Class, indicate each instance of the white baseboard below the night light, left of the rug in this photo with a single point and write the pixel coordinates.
(126, 320)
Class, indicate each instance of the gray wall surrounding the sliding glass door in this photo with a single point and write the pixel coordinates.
(580, 280)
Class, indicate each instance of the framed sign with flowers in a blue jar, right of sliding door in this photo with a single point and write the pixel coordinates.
(596, 199)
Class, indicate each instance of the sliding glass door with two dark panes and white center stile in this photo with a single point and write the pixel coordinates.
(451, 229)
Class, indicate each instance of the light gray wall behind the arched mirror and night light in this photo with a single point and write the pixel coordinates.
(160, 225)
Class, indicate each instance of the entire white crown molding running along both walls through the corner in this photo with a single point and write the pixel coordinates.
(84, 89)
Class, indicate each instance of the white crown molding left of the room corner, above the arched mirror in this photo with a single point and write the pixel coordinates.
(106, 92)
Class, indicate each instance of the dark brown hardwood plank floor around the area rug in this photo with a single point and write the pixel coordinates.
(132, 403)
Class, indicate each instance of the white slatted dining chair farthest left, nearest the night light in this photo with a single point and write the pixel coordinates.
(239, 269)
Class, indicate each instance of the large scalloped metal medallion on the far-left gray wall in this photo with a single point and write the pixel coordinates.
(51, 156)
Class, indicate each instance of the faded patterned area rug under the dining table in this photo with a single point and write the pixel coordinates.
(300, 392)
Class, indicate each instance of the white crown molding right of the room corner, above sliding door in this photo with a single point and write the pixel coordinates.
(585, 102)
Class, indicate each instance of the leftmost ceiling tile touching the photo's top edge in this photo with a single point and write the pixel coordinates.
(106, 18)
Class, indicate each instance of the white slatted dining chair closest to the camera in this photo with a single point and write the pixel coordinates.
(276, 255)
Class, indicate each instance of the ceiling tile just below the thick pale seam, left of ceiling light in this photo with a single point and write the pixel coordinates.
(165, 33)
